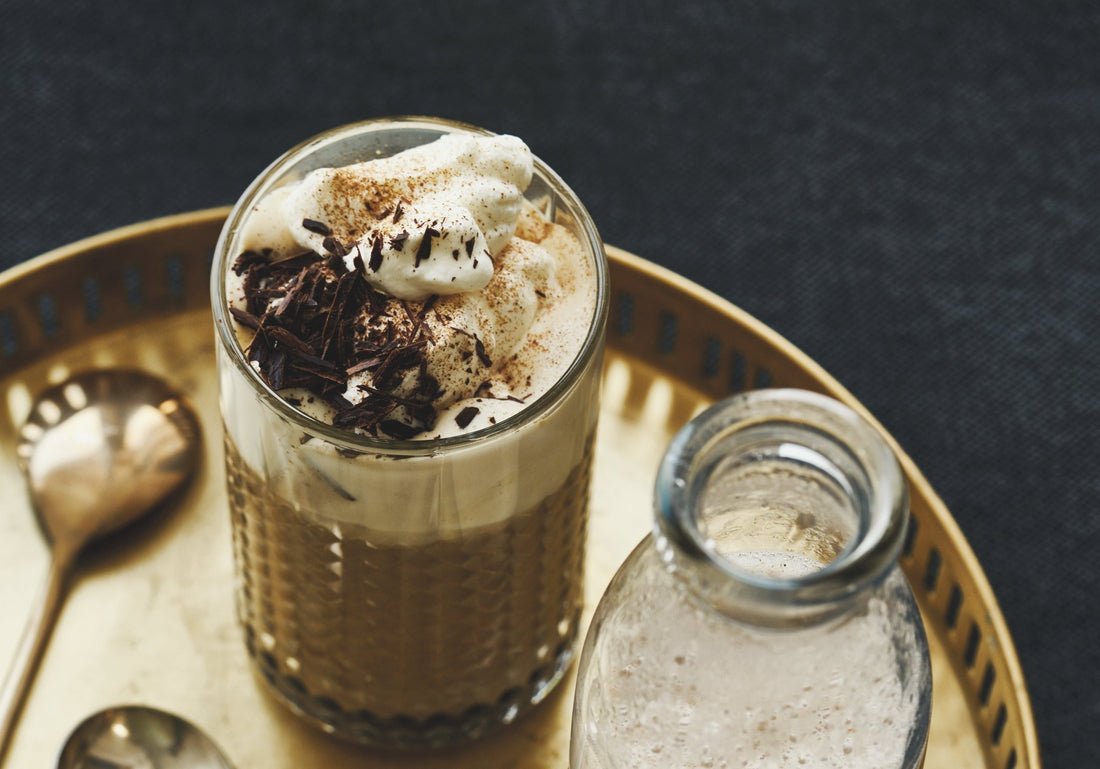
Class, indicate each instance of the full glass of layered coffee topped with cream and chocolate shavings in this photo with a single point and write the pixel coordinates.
(411, 316)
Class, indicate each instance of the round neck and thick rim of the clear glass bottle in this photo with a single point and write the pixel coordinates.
(780, 508)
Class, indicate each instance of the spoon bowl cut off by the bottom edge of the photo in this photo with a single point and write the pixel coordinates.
(139, 738)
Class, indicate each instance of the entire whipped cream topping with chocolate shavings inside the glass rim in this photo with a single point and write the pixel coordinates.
(412, 333)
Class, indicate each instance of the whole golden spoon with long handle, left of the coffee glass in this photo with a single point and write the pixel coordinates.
(100, 452)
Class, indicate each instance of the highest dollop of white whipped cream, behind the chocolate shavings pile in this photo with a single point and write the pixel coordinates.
(426, 222)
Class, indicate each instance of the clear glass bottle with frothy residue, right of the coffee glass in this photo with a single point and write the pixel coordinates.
(765, 622)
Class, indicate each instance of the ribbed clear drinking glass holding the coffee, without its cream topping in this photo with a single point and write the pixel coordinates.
(409, 592)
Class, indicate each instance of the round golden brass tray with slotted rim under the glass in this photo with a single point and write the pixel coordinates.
(151, 617)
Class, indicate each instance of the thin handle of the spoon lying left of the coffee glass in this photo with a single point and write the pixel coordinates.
(34, 643)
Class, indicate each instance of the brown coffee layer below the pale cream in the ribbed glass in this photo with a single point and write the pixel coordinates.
(417, 632)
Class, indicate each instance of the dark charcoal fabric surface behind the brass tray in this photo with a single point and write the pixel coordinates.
(908, 191)
